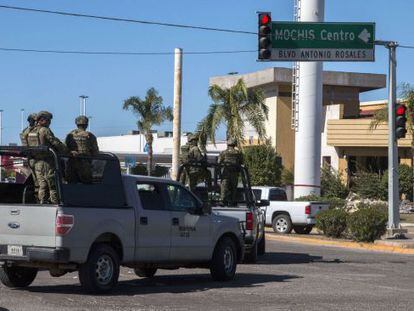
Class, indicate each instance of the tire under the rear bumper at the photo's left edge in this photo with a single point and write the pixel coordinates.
(17, 277)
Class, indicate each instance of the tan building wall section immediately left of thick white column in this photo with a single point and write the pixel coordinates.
(285, 135)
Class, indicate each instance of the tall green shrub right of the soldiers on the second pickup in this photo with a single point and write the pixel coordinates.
(264, 165)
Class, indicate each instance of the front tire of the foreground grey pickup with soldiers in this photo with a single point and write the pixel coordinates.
(224, 263)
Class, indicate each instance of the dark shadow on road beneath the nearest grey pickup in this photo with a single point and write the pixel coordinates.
(172, 284)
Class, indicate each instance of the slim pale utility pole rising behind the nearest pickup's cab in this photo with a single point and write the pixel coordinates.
(178, 78)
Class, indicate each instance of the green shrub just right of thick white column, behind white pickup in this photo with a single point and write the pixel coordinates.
(331, 184)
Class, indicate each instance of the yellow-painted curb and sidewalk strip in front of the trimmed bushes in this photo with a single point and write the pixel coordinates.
(392, 246)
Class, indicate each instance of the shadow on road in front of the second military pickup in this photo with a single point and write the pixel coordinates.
(292, 258)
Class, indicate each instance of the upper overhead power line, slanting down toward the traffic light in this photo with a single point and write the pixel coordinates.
(127, 20)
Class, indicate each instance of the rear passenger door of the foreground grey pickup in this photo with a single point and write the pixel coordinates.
(153, 224)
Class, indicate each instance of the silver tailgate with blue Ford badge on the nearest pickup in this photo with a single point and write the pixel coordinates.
(28, 225)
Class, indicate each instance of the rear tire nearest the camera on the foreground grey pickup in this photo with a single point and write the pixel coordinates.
(101, 272)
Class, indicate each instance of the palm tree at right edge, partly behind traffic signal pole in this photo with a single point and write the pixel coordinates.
(381, 116)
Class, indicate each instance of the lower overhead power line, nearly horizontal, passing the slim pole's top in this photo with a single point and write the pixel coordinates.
(121, 53)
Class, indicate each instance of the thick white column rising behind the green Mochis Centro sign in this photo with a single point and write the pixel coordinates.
(308, 135)
